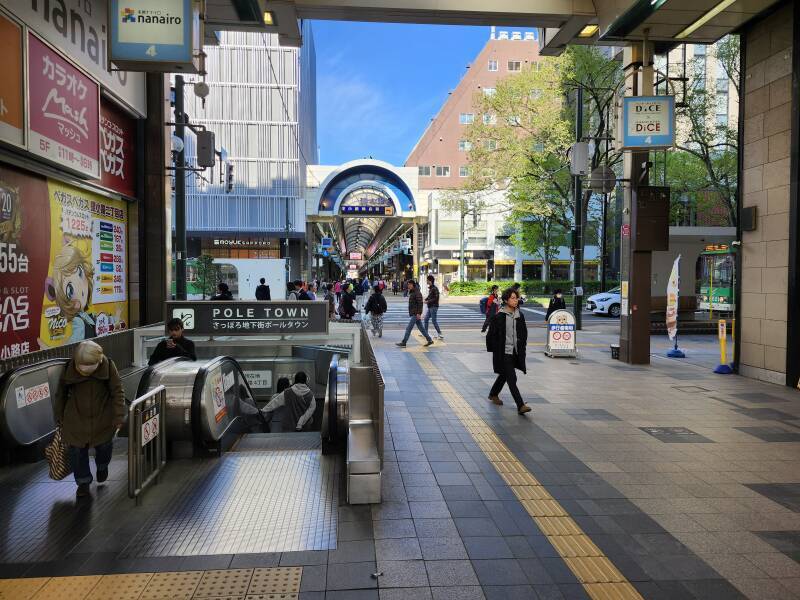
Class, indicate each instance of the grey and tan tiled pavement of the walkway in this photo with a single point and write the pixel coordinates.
(688, 483)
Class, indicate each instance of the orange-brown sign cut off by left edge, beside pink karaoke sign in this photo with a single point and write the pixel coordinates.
(12, 116)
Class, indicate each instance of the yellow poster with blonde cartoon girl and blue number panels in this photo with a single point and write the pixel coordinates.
(86, 287)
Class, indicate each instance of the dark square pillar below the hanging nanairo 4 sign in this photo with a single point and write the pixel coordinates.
(155, 210)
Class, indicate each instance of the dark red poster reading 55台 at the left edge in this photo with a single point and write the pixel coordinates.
(24, 245)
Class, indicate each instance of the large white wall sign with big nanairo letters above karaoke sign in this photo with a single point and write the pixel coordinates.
(79, 28)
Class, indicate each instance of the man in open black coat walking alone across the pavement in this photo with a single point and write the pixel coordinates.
(507, 340)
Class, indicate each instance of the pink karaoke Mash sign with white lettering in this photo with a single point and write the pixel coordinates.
(64, 109)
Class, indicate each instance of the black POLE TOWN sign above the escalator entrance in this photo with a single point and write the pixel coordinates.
(250, 318)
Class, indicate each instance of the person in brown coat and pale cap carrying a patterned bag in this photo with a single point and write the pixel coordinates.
(89, 407)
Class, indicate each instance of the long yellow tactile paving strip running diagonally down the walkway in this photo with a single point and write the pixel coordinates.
(601, 579)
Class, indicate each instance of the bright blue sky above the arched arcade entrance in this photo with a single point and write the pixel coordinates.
(379, 85)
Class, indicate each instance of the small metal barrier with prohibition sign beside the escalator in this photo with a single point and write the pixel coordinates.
(147, 440)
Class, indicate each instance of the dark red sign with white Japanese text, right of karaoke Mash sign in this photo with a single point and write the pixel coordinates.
(117, 151)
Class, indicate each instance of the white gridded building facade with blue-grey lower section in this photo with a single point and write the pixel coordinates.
(262, 110)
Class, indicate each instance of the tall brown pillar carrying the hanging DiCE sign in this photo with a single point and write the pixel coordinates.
(634, 336)
